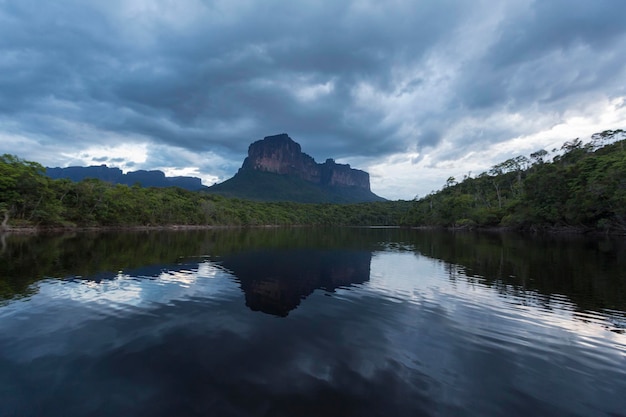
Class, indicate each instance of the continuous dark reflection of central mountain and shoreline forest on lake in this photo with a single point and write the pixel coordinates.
(289, 264)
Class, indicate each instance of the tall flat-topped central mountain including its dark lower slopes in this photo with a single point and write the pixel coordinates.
(276, 169)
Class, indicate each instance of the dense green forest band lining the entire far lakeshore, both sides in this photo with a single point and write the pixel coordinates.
(582, 187)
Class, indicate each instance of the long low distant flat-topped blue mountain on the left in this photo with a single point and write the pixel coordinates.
(116, 176)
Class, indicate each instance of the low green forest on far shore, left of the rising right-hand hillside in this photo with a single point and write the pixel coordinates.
(29, 198)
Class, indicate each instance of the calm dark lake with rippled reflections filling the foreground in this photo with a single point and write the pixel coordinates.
(312, 322)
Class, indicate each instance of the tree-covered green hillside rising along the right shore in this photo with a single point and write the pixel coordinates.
(582, 188)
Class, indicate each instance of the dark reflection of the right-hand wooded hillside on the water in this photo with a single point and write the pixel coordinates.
(584, 275)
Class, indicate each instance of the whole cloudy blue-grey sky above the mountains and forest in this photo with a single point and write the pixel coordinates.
(412, 92)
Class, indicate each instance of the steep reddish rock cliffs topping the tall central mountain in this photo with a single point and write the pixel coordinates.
(281, 155)
